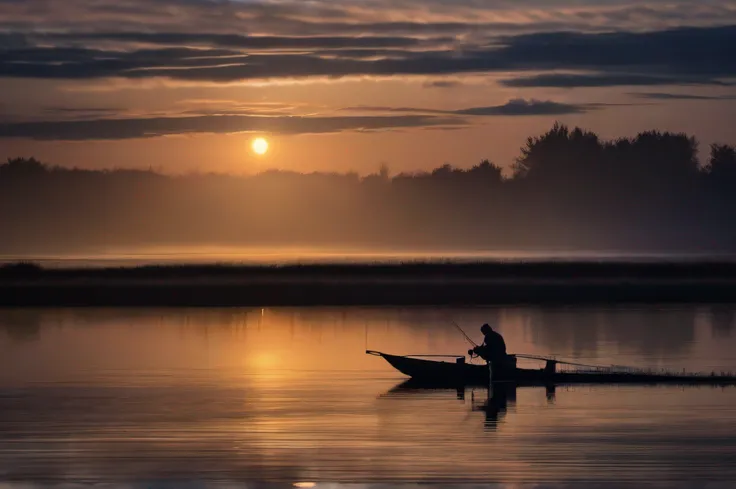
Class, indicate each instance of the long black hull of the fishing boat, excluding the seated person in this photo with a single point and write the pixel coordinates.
(465, 374)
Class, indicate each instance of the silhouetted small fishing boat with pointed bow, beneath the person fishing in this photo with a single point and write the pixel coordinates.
(426, 369)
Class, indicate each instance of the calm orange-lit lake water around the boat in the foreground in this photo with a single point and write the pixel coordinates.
(141, 398)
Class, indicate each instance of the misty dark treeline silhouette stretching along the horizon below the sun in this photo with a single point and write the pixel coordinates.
(568, 189)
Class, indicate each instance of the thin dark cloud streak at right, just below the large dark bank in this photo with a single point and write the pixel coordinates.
(604, 80)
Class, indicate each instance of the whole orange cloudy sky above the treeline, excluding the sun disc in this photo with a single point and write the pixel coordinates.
(185, 85)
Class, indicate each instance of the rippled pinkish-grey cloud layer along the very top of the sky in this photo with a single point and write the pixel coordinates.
(299, 18)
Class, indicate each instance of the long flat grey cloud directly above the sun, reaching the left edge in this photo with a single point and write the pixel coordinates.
(112, 129)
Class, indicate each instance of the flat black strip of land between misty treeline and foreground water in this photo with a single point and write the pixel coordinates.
(483, 283)
